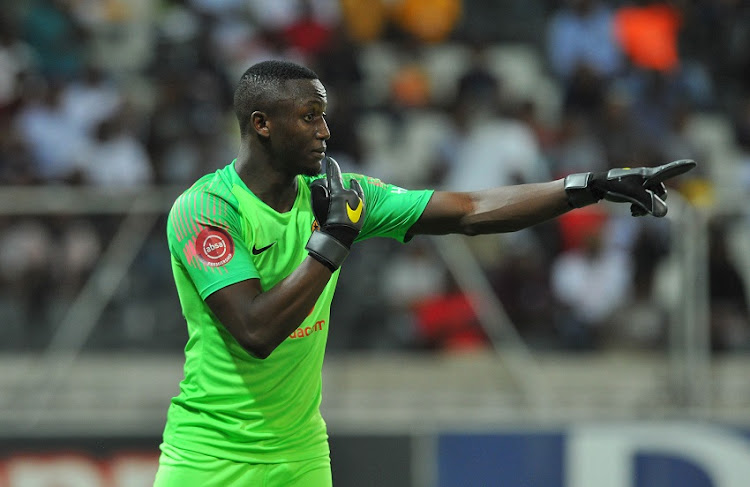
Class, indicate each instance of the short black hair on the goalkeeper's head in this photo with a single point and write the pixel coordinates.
(260, 87)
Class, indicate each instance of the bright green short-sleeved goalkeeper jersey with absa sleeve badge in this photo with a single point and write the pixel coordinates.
(232, 405)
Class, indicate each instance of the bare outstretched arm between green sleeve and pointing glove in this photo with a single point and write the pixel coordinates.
(497, 210)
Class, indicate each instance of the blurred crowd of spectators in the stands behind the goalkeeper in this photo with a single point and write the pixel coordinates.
(453, 94)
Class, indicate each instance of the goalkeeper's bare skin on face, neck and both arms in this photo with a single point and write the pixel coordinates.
(290, 139)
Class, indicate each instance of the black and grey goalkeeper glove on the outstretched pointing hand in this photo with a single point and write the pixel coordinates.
(643, 187)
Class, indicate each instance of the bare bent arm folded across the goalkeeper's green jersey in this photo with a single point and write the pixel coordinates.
(261, 321)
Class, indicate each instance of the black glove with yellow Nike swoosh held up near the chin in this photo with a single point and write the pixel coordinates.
(340, 213)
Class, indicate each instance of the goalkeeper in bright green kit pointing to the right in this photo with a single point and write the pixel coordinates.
(256, 249)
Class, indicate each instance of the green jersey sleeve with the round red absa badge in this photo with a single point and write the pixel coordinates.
(204, 232)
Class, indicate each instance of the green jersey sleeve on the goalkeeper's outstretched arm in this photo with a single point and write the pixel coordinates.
(390, 210)
